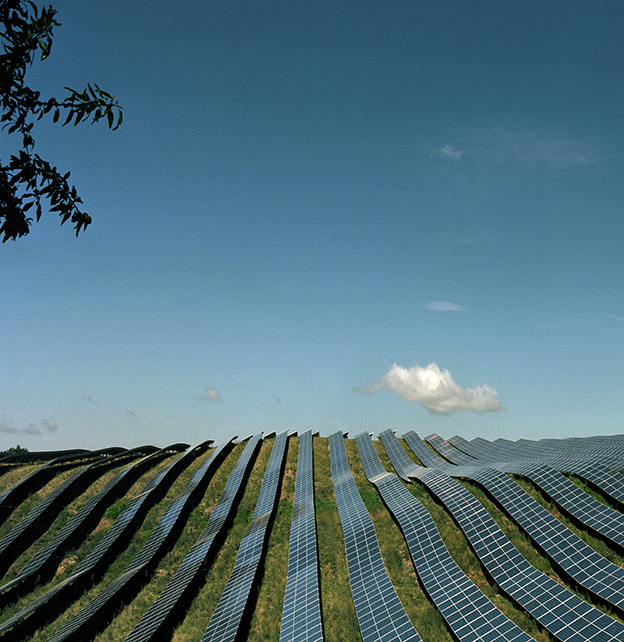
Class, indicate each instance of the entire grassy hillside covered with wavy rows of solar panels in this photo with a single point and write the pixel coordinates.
(299, 537)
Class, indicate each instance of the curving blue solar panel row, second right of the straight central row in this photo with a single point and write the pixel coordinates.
(467, 611)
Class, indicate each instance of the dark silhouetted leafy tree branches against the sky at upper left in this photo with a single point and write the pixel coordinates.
(26, 179)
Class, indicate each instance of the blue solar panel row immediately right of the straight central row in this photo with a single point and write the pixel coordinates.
(380, 614)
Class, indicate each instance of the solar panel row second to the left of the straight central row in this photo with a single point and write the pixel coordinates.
(149, 625)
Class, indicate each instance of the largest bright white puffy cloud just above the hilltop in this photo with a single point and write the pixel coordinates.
(435, 389)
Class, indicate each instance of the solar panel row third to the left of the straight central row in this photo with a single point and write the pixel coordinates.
(94, 614)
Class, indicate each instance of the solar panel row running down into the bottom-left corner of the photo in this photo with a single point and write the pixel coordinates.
(103, 554)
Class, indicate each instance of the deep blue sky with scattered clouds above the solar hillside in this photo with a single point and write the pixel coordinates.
(325, 215)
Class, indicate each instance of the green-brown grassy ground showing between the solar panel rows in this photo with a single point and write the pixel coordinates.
(338, 613)
